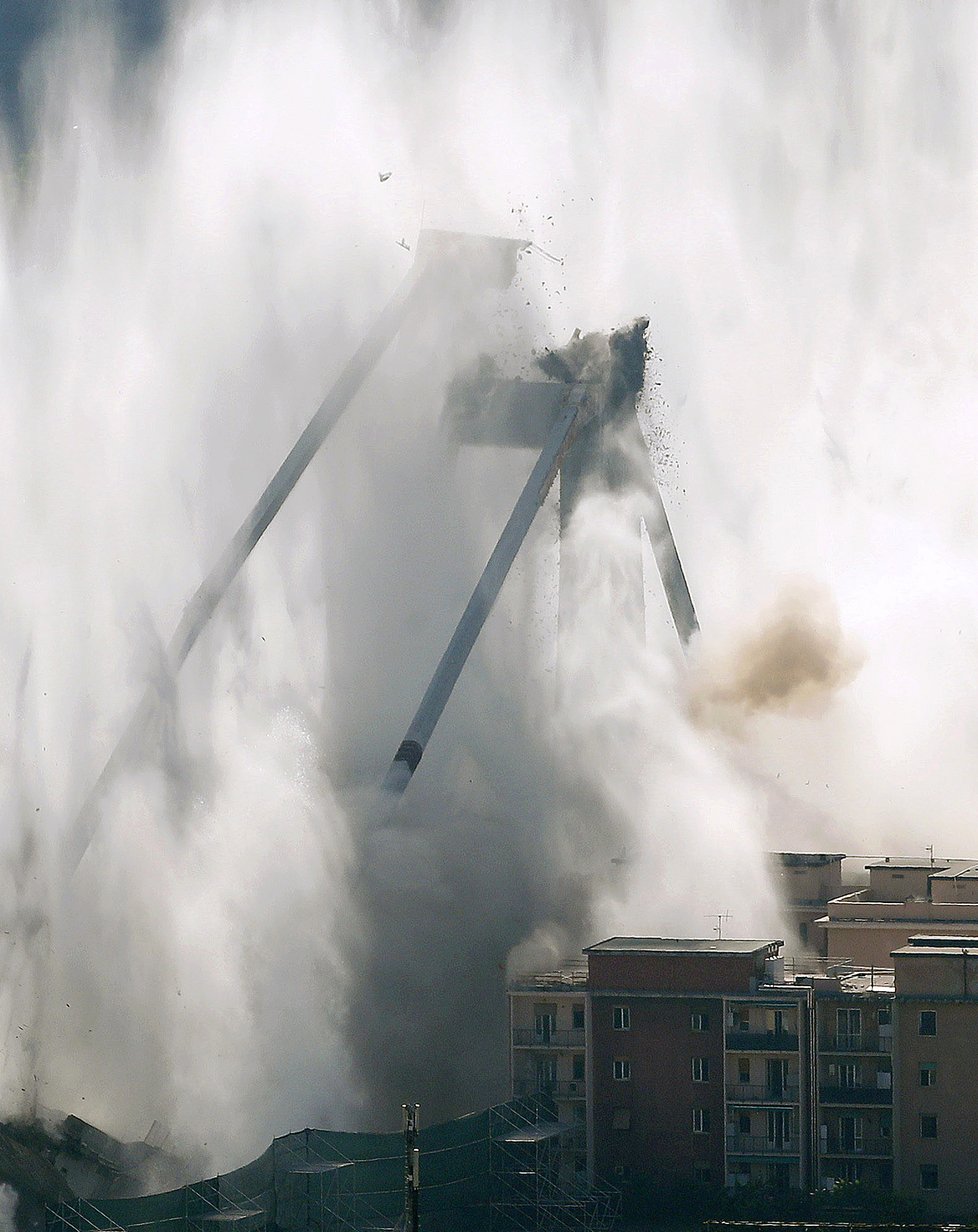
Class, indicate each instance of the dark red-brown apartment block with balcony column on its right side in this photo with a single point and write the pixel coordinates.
(698, 1052)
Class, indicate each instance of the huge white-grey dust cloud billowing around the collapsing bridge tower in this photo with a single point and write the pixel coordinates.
(192, 247)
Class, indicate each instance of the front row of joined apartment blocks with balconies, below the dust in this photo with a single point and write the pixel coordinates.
(709, 1063)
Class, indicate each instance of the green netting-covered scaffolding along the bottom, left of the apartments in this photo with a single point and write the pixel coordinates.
(498, 1171)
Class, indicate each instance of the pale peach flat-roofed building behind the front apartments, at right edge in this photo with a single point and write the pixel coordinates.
(905, 898)
